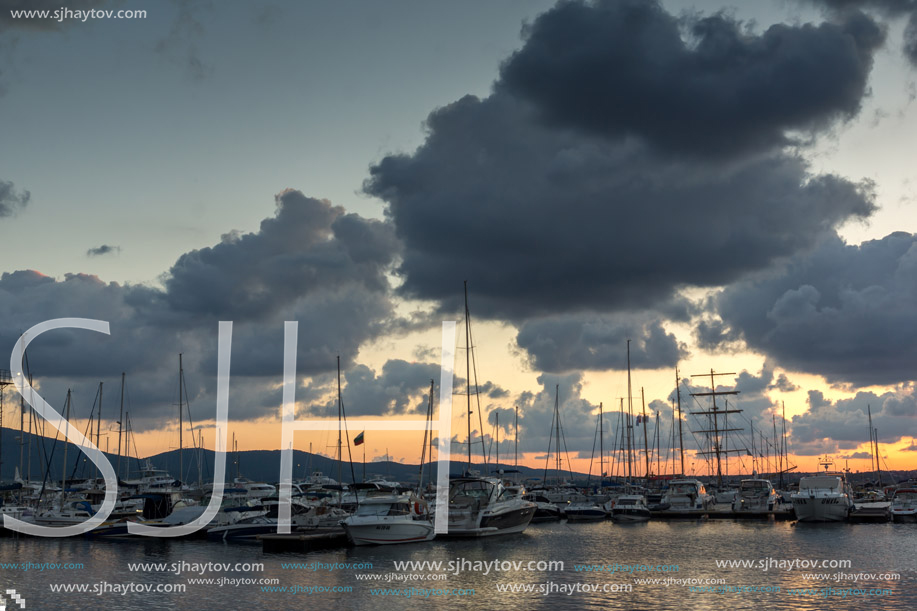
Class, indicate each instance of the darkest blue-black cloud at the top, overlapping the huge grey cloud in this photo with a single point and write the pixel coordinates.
(623, 67)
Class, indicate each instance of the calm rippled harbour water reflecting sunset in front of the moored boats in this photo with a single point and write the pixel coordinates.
(693, 546)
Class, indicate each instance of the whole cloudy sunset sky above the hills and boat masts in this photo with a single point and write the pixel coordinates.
(727, 186)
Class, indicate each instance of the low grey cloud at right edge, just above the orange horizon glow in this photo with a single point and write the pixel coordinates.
(844, 424)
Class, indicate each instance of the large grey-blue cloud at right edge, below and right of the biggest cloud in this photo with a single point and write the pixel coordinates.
(847, 312)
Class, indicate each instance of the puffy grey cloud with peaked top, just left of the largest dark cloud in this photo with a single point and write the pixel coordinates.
(308, 246)
